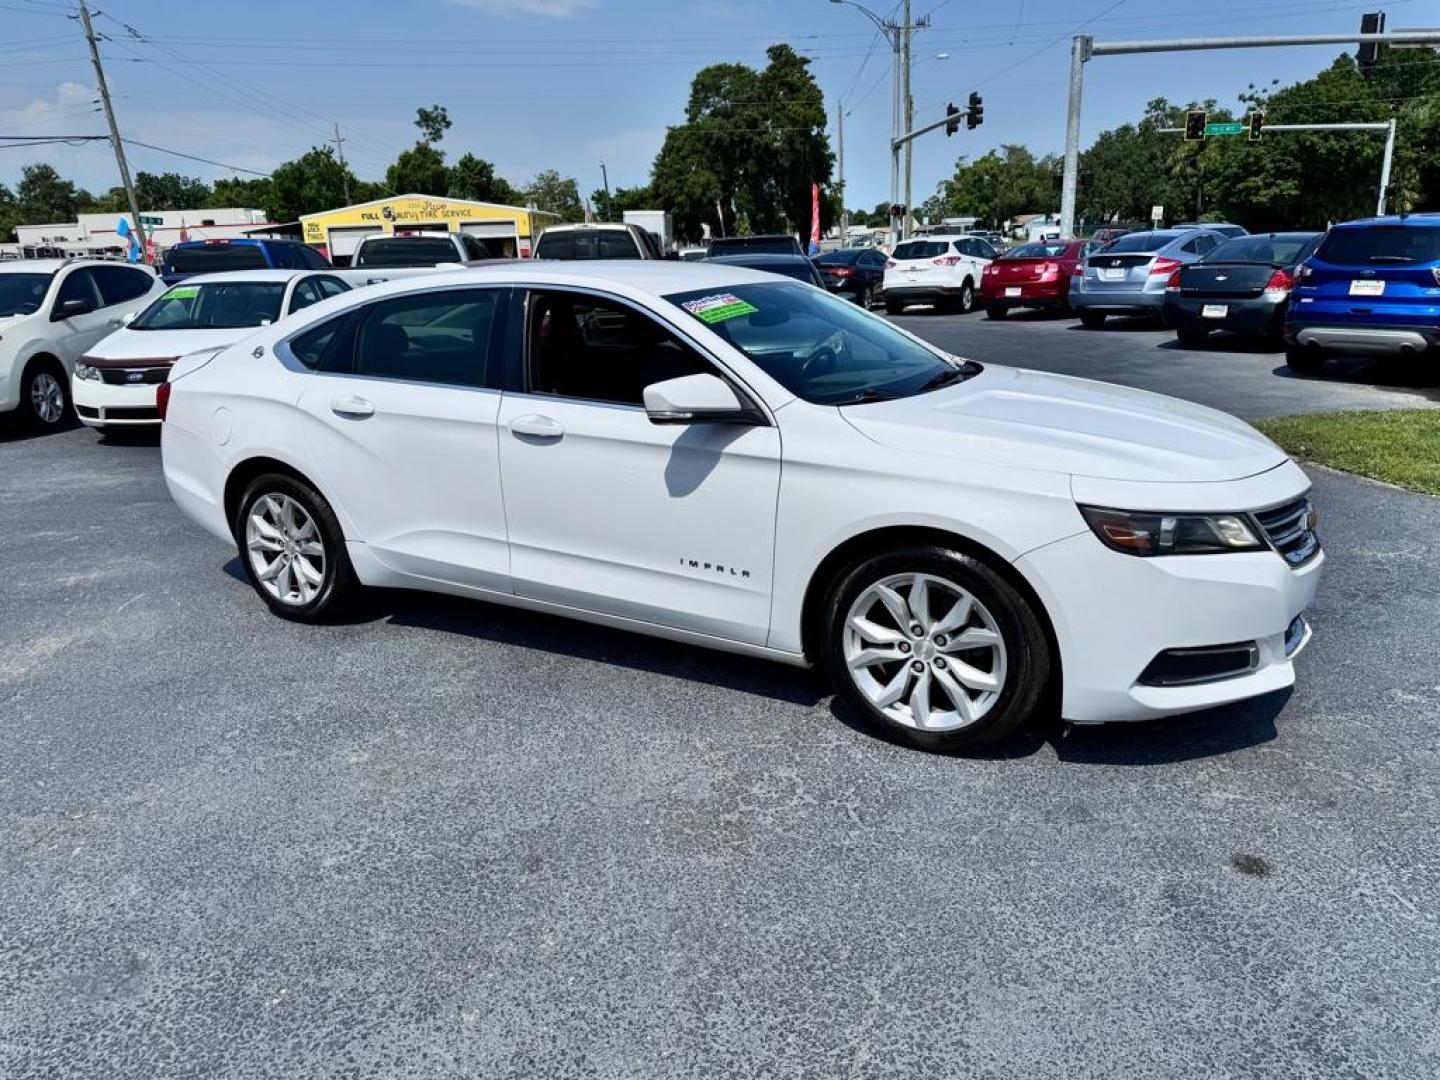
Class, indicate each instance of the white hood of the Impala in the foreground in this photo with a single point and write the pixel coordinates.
(1030, 420)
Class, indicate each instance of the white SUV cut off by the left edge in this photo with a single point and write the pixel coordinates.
(51, 313)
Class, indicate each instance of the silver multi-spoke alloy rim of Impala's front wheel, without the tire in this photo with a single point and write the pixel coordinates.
(925, 653)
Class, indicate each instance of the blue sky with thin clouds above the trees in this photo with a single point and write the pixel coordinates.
(568, 84)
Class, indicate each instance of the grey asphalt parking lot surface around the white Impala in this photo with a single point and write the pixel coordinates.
(449, 840)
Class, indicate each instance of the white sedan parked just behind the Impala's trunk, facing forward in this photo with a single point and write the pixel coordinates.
(114, 384)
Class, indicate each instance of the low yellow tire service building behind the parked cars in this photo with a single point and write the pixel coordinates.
(506, 231)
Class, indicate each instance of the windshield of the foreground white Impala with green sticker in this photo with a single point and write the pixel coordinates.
(820, 348)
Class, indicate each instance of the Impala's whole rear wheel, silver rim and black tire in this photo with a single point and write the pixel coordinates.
(293, 549)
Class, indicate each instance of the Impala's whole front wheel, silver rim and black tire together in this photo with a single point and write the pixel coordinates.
(937, 649)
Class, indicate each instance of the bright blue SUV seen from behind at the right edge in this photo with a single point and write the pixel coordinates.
(1372, 289)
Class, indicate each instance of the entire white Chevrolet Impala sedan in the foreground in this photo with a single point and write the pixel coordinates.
(735, 460)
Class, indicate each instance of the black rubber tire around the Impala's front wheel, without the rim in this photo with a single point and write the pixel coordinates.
(1029, 667)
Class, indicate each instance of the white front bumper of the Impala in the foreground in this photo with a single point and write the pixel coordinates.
(1114, 614)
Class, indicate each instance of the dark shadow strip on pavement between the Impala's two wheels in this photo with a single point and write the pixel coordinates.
(565, 637)
